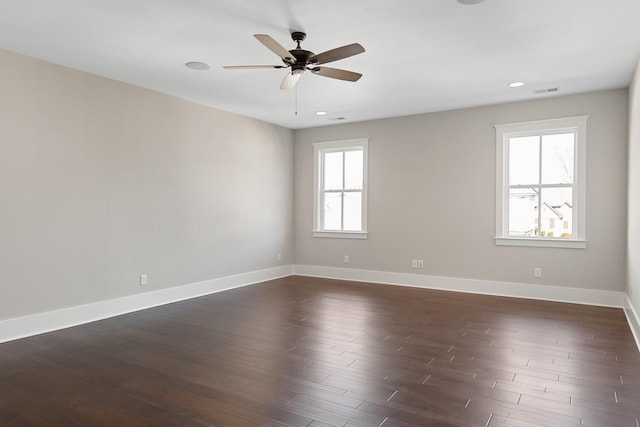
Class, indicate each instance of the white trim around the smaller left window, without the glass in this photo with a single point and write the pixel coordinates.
(323, 147)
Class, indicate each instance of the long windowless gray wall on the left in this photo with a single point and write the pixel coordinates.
(101, 181)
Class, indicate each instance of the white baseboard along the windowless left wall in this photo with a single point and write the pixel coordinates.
(21, 327)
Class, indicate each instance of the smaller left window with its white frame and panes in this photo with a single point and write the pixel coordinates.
(340, 205)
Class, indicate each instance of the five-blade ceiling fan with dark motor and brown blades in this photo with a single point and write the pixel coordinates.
(300, 60)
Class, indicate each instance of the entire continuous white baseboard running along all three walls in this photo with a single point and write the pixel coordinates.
(21, 327)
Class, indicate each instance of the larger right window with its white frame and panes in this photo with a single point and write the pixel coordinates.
(540, 183)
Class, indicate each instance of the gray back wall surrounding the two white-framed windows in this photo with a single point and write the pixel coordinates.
(432, 196)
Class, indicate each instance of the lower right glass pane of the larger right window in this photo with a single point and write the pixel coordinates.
(557, 209)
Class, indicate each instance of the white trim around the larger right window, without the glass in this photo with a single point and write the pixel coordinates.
(576, 124)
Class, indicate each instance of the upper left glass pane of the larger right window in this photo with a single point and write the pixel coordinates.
(524, 160)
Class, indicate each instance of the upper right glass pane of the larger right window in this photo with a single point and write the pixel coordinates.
(557, 158)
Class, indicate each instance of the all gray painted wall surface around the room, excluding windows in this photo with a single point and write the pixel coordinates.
(101, 181)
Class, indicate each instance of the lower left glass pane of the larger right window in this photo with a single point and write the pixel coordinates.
(523, 212)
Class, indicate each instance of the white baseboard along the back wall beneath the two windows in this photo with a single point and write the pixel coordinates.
(507, 289)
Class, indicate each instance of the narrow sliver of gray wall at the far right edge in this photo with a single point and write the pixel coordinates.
(633, 236)
